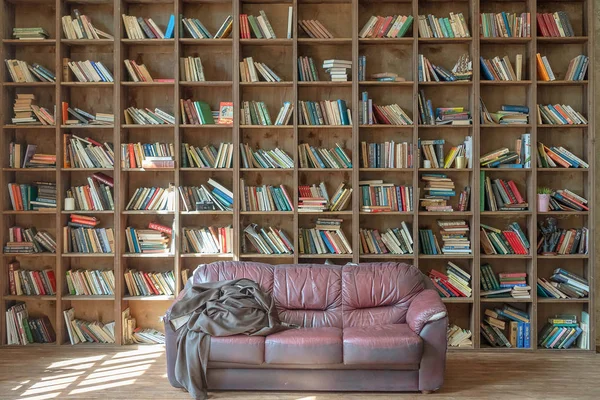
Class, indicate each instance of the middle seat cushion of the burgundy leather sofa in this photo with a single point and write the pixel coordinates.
(305, 346)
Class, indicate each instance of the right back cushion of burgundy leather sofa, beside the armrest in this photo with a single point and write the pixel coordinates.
(378, 293)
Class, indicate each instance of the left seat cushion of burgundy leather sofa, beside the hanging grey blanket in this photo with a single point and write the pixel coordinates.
(241, 349)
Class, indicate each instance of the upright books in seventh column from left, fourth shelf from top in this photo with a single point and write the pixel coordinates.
(386, 155)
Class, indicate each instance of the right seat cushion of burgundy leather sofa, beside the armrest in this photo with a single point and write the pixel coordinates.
(382, 344)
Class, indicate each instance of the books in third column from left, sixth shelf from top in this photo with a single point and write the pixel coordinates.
(155, 239)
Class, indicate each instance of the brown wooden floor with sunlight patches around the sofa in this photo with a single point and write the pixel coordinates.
(132, 374)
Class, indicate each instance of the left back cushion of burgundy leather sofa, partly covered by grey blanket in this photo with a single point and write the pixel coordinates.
(230, 270)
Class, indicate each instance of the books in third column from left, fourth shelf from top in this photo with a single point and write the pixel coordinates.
(147, 155)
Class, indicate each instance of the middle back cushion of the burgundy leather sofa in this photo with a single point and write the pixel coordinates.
(309, 295)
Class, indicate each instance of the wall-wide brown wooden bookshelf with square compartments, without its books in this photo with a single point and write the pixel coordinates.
(221, 60)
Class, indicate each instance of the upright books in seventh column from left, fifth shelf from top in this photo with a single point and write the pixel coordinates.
(378, 196)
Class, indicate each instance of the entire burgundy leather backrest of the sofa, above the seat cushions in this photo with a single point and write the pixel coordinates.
(316, 295)
